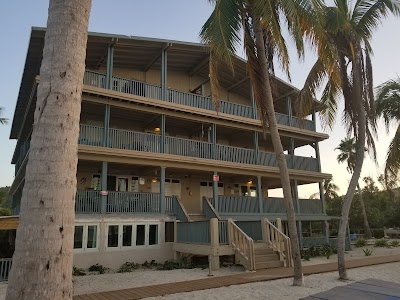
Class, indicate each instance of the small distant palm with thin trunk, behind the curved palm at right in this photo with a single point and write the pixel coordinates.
(347, 148)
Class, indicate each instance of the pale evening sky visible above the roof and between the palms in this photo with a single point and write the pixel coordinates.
(178, 20)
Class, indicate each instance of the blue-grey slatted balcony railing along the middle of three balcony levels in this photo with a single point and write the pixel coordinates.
(138, 141)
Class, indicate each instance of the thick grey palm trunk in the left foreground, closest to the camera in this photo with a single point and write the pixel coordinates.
(42, 262)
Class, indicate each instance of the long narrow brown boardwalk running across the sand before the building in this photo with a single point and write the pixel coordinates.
(216, 282)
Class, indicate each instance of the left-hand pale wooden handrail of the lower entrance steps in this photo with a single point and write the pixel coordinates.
(242, 243)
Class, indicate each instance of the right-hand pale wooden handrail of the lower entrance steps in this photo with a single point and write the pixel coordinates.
(276, 239)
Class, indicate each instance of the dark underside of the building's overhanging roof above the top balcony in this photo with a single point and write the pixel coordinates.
(132, 52)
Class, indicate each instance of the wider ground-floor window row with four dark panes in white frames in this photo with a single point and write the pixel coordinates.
(131, 235)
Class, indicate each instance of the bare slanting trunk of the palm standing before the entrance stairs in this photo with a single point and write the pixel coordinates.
(282, 164)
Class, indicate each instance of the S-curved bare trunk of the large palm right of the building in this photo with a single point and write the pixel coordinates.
(344, 219)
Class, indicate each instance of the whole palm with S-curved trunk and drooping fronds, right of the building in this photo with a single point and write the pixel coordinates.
(341, 35)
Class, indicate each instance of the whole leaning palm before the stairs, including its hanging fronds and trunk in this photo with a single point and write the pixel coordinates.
(258, 21)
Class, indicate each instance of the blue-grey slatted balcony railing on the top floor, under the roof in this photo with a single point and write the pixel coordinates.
(143, 89)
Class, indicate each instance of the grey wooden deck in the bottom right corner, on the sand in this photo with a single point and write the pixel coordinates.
(360, 290)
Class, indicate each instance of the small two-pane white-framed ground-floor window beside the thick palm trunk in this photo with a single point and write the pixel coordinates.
(86, 237)
